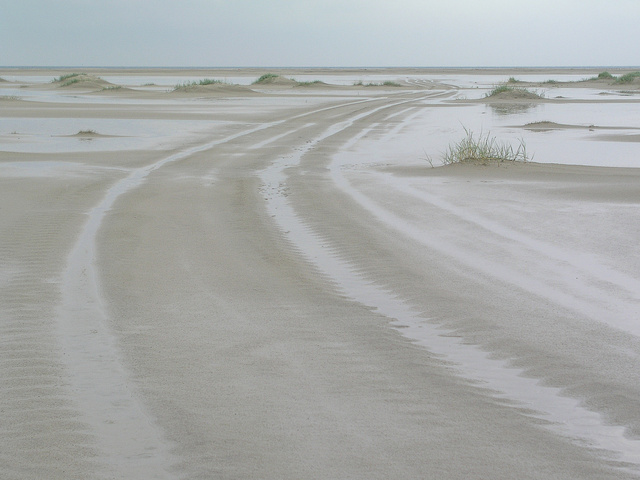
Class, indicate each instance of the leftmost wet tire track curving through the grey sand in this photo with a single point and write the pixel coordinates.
(129, 442)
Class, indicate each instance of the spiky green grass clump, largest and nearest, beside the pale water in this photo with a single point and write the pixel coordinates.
(483, 150)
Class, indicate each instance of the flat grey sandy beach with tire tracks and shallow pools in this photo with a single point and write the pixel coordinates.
(280, 280)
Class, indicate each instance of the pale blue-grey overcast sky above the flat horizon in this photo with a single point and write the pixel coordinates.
(338, 33)
